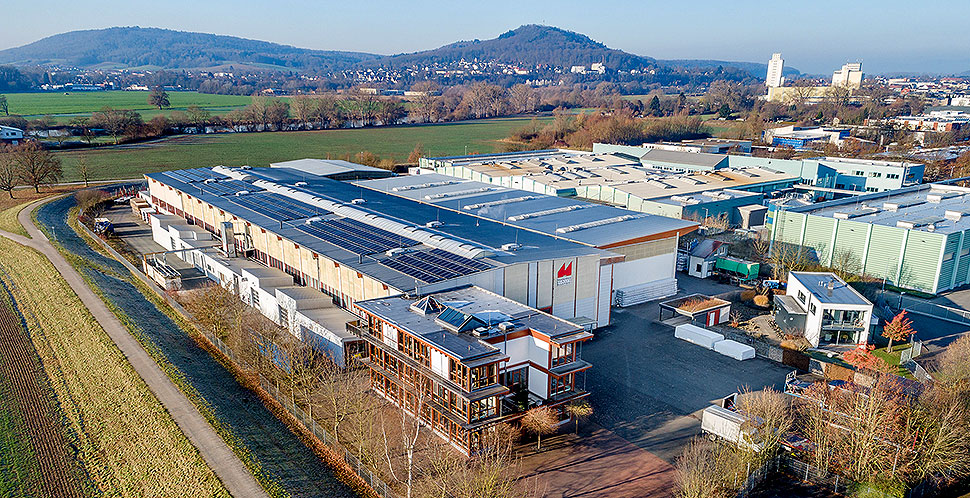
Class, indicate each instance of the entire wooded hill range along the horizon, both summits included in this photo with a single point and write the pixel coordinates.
(528, 46)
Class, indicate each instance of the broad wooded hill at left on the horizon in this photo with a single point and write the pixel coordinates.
(133, 47)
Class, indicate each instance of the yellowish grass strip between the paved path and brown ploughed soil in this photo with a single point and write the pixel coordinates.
(127, 442)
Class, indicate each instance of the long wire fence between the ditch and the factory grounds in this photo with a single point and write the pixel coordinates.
(361, 469)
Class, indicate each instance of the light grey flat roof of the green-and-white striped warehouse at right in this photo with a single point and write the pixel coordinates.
(929, 207)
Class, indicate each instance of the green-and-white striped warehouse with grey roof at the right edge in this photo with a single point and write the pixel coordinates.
(914, 238)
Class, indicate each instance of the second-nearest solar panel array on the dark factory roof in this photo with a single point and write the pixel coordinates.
(354, 236)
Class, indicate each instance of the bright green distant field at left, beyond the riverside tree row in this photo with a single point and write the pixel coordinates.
(66, 105)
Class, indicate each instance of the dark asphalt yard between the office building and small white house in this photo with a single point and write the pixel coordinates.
(648, 387)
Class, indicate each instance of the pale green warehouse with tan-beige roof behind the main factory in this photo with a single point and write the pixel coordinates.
(681, 185)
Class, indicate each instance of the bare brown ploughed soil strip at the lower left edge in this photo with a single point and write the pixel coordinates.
(59, 472)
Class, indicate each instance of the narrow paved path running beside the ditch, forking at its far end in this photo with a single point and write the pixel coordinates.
(227, 466)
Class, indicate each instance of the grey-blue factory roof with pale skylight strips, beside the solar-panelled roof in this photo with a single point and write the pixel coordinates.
(587, 223)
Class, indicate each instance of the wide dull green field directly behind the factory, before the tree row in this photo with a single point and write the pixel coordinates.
(260, 149)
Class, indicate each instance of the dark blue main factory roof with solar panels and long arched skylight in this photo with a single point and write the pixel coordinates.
(297, 206)
